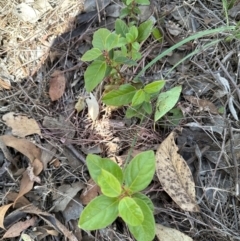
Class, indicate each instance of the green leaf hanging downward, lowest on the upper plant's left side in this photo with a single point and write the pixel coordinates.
(94, 74)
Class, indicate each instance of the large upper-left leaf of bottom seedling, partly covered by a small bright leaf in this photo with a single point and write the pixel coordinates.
(96, 164)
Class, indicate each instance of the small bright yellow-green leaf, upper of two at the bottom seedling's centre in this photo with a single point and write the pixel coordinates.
(110, 186)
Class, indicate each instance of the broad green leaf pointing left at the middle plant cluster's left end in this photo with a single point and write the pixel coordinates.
(122, 96)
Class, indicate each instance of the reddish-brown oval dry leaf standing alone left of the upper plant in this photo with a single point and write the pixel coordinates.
(57, 85)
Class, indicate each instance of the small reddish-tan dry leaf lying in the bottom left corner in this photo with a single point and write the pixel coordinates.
(16, 229)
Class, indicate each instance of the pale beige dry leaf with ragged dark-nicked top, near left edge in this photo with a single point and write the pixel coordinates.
(21, 125)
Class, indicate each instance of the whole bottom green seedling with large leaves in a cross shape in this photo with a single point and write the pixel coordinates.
(121, 195)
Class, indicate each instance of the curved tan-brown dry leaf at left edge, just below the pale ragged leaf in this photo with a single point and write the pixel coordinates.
(24, 146)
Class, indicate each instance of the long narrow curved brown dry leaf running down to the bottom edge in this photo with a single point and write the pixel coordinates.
(50, 219)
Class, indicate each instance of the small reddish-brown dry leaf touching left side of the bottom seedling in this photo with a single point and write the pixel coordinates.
(91, 191)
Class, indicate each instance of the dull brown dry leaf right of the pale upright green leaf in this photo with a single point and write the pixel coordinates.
(204, 105)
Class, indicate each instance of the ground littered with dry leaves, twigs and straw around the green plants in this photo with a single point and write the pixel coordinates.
(44, 182)
